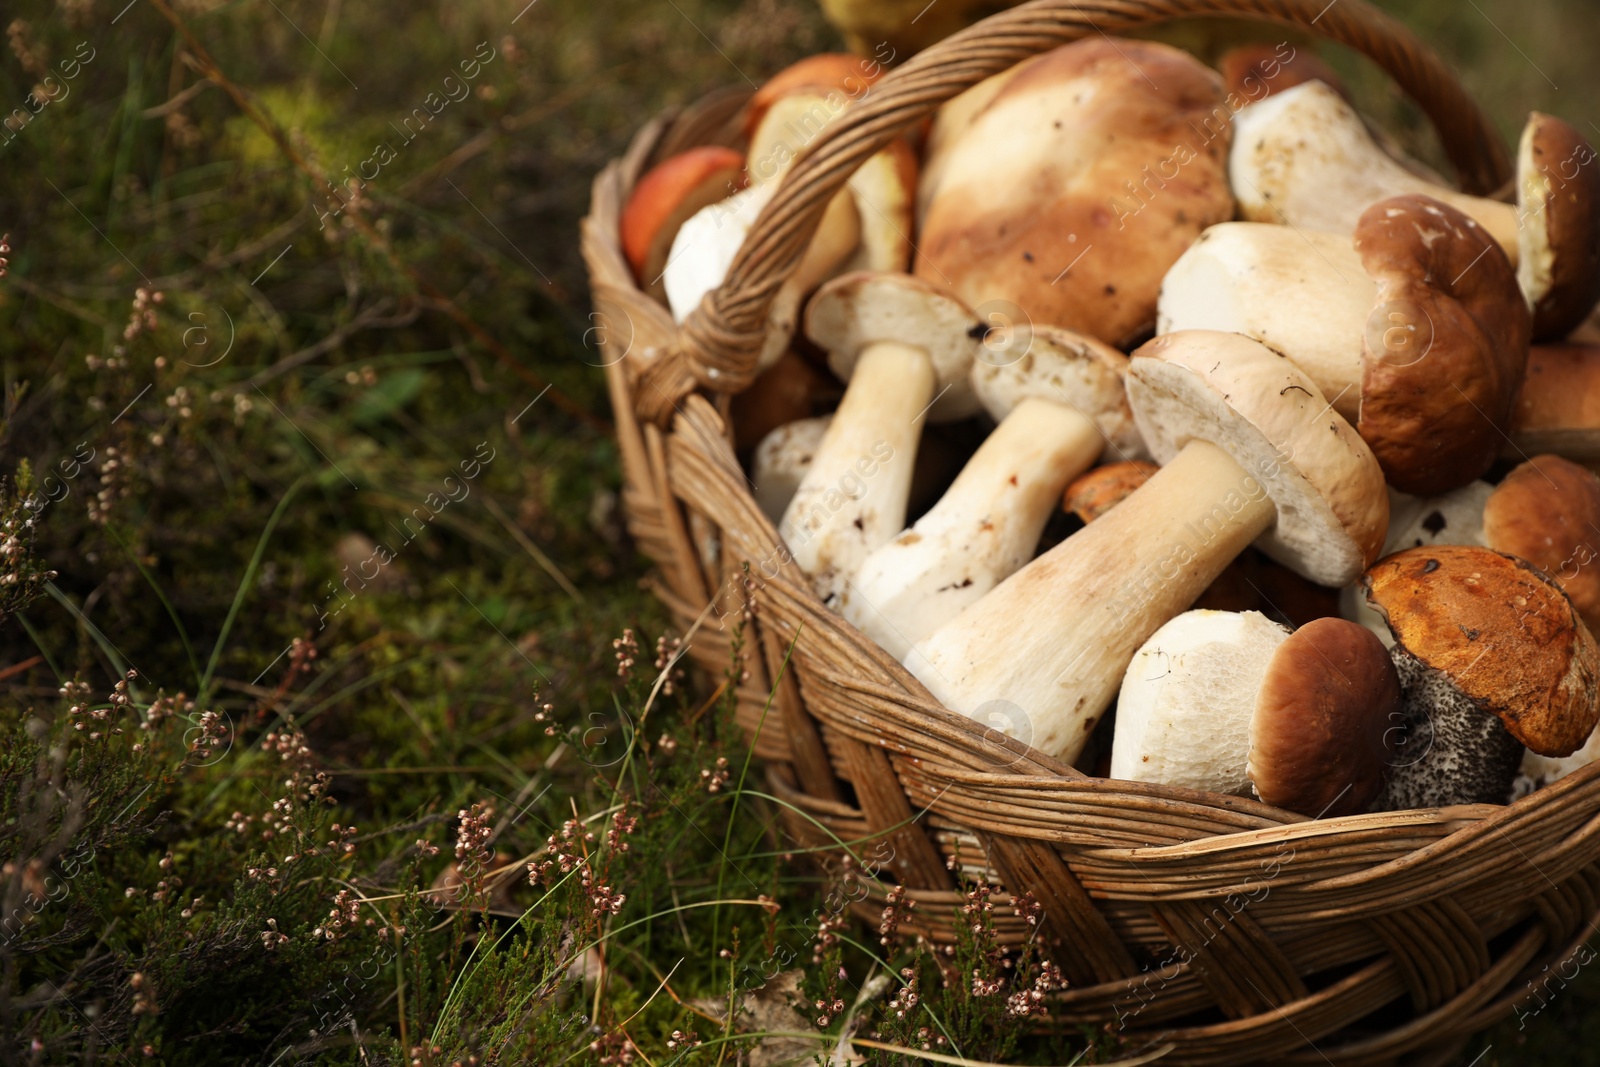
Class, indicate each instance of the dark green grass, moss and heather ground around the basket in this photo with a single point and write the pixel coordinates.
(335, 470)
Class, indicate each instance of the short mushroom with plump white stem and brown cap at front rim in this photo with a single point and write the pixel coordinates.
(1234, 703)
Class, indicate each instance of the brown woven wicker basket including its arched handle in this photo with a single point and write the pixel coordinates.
(1228, 929)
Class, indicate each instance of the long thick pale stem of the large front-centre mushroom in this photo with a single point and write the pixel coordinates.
(1089, 604)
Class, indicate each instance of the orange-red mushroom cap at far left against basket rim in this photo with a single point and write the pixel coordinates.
(666, 198)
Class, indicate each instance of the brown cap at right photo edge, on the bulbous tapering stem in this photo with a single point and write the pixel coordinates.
(1559, 194)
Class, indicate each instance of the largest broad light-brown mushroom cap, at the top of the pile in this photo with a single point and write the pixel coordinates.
(1114, 164)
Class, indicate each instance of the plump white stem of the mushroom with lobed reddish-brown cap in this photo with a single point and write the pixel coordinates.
(1302, 294)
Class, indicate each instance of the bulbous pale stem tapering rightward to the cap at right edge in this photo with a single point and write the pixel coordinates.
(1303, 156)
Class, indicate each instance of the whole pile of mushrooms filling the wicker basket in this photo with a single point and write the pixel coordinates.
(1207, 442)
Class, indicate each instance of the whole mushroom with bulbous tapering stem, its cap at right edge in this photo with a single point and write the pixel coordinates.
(1303, 158)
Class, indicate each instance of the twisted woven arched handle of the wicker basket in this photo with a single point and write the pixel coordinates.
(719, 343)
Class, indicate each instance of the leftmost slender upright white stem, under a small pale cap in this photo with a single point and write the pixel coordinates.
(854, 498)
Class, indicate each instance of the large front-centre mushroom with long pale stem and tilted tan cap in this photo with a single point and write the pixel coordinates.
(1252, 452)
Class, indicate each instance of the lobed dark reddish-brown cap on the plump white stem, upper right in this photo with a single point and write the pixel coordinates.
(1438, 402)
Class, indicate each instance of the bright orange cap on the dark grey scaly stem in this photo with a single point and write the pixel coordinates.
(1502, 634)
